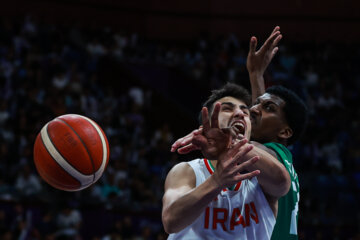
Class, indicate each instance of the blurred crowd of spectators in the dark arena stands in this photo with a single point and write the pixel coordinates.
(47, 70)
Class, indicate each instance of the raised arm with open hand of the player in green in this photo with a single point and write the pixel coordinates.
(258, 61)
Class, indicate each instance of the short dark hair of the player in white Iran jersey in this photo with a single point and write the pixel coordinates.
(228, 90)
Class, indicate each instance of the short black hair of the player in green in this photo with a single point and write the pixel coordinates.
(296, 112)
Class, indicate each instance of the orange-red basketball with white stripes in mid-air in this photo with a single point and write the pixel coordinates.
(71, 152)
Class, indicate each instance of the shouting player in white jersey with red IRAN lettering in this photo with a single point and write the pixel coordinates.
(213, 198)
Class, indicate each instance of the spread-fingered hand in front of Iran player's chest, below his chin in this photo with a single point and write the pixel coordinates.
(232, 162)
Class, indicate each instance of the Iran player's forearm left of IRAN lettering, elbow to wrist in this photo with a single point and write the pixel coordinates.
(186, 209)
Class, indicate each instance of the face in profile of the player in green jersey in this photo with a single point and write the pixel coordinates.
(267, 118)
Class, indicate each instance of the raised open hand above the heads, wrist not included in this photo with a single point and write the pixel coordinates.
(258, 61)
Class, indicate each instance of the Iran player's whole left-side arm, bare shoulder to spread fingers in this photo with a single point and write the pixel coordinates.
(183, 202)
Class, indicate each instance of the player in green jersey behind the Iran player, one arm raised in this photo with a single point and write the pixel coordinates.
(278, 117)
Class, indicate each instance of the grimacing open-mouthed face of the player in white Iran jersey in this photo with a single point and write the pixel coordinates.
(235, 113)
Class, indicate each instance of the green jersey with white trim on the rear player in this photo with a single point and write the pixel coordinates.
(288, 206)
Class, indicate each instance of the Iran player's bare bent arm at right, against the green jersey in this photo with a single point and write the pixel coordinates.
(273, 177)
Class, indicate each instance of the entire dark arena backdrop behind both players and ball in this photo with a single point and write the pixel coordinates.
(171, 54)
